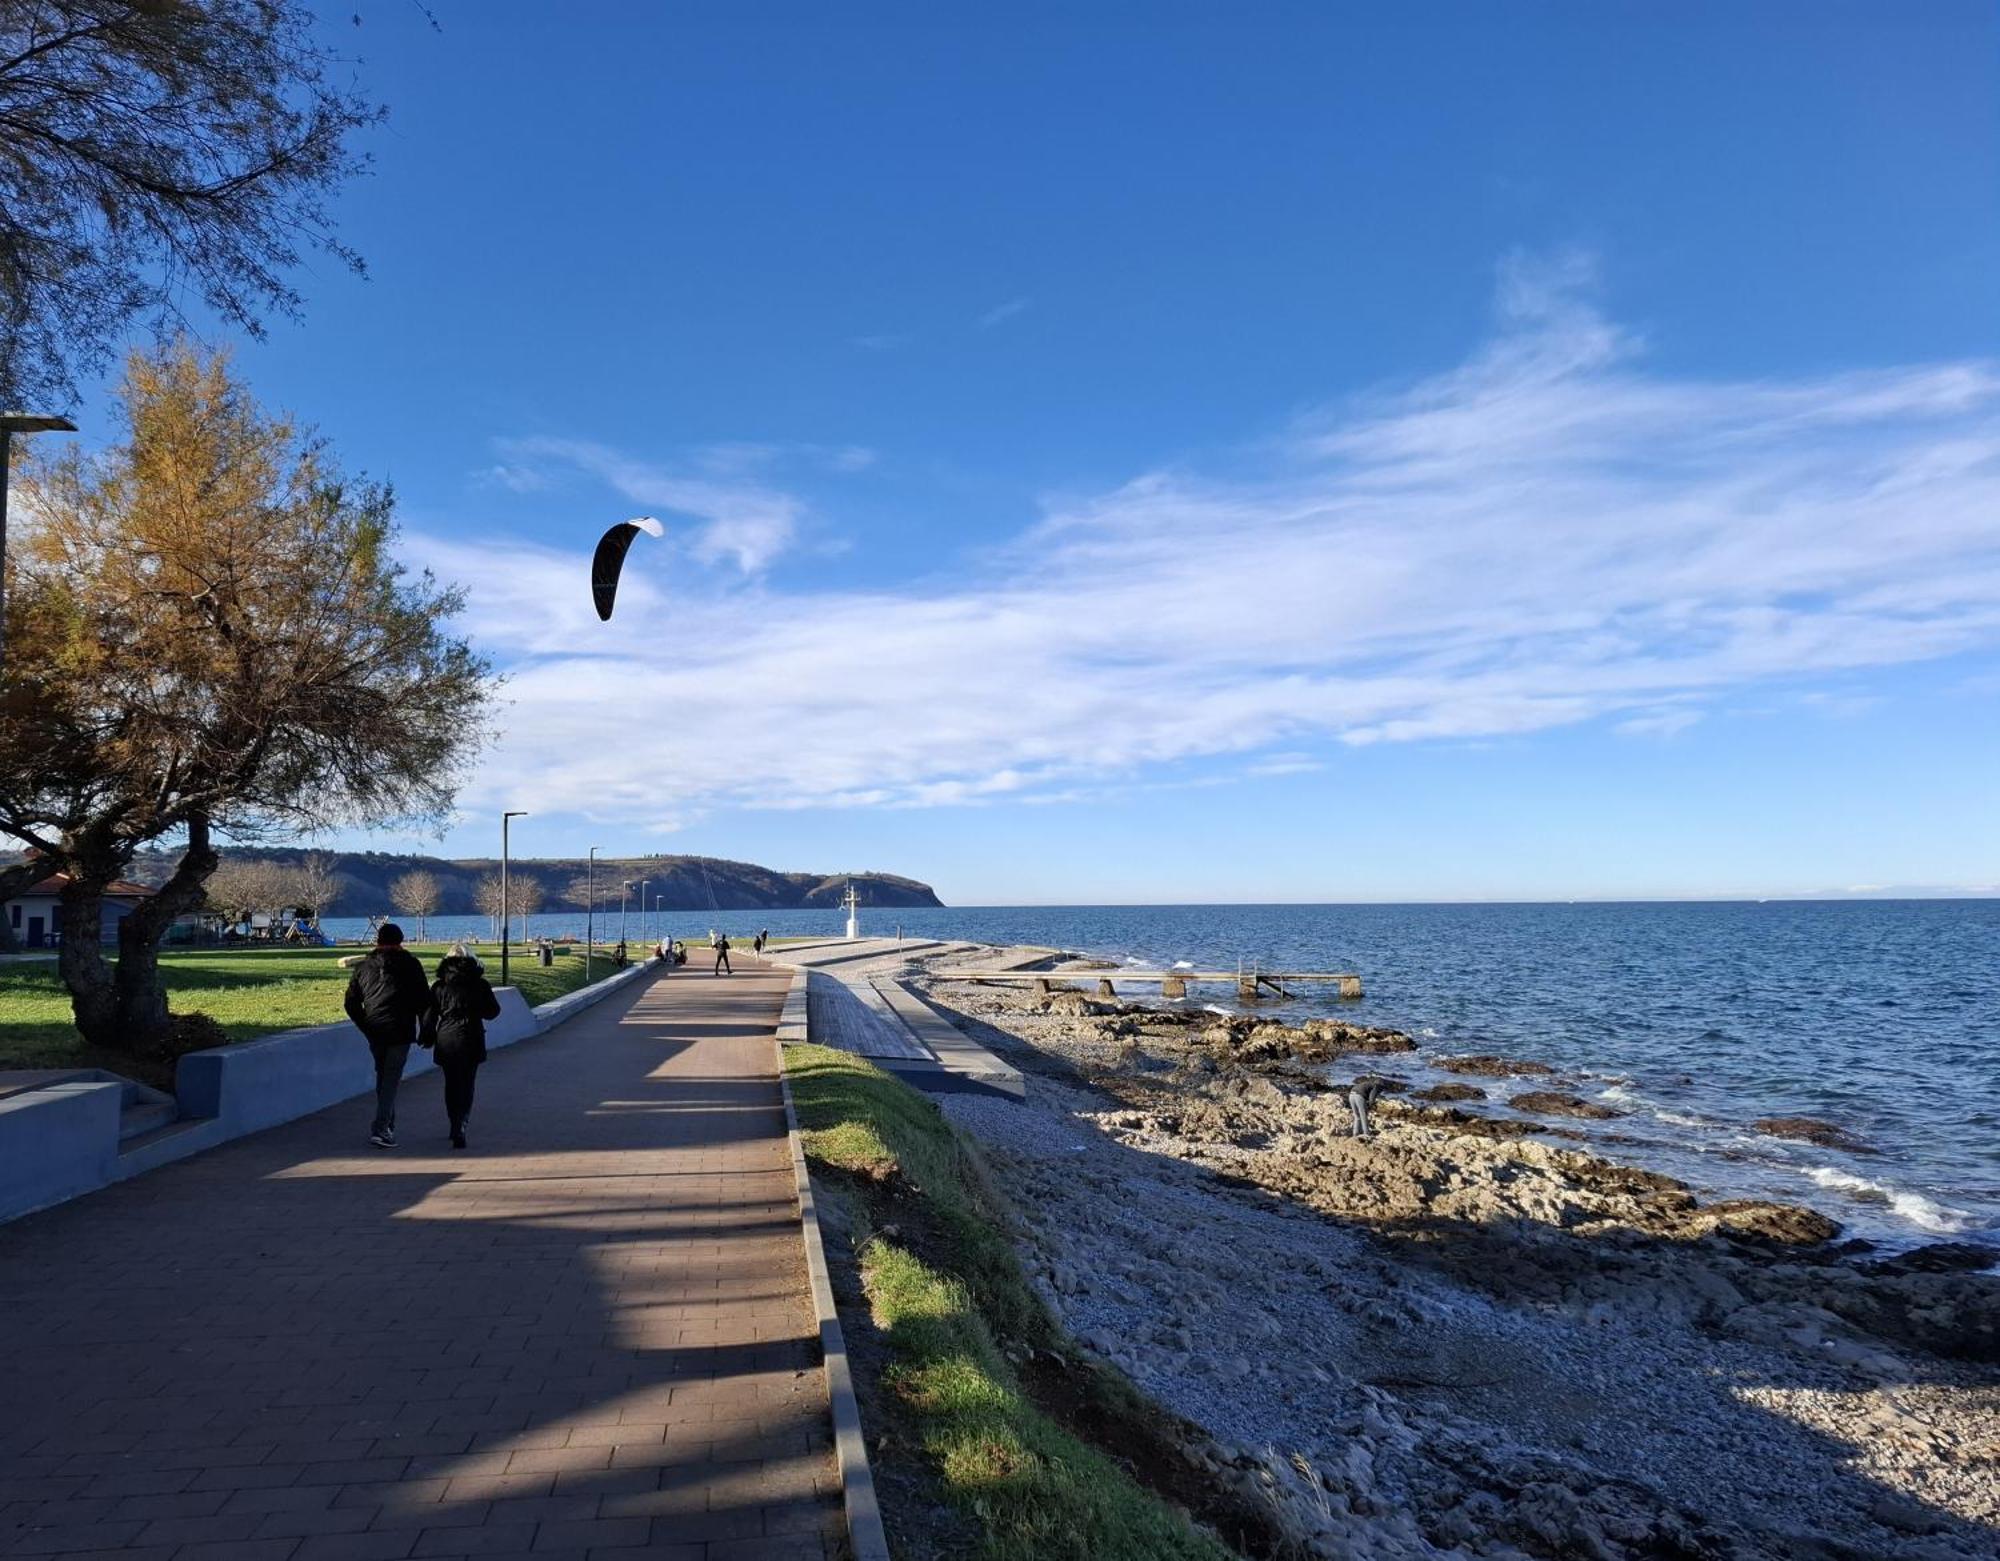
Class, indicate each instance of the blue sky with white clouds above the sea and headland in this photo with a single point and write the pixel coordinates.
(1189, 453)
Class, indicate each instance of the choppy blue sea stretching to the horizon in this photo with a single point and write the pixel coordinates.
(1693, 1020)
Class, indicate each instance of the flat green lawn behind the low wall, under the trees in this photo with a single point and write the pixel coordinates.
(249, 992)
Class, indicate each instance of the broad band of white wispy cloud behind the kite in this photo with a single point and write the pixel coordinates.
(1543, 535)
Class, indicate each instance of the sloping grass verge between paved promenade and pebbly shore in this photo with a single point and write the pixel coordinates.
(979, 1382)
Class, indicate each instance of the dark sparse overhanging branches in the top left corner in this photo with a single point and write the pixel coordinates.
(157, 153)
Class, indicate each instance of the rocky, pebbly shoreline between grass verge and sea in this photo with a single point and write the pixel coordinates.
(1465, 1336)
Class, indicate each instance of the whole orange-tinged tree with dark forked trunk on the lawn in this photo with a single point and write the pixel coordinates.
(209, 631)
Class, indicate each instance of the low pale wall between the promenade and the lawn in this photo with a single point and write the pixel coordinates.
(63, 1142)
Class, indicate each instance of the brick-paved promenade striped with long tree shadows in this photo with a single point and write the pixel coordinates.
(589, 1336)
